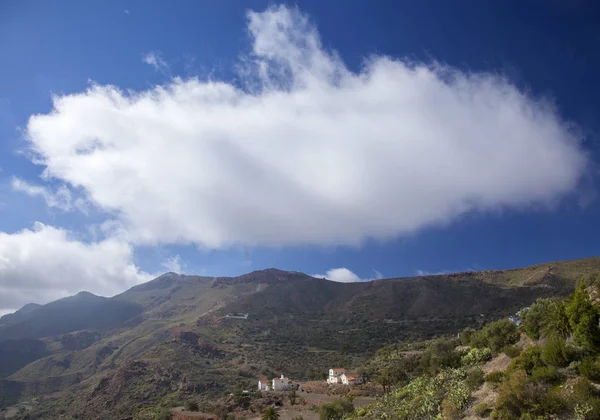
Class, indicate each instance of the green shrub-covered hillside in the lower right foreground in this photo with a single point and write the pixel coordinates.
(552, 379)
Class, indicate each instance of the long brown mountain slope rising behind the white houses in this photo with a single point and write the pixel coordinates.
(297, 324)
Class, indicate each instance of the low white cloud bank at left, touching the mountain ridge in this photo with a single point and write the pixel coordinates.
(45, 263)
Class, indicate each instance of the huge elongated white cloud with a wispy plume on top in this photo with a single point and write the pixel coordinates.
(307, 151)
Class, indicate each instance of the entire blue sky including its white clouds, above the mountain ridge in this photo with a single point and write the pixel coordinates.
(387, 138)
